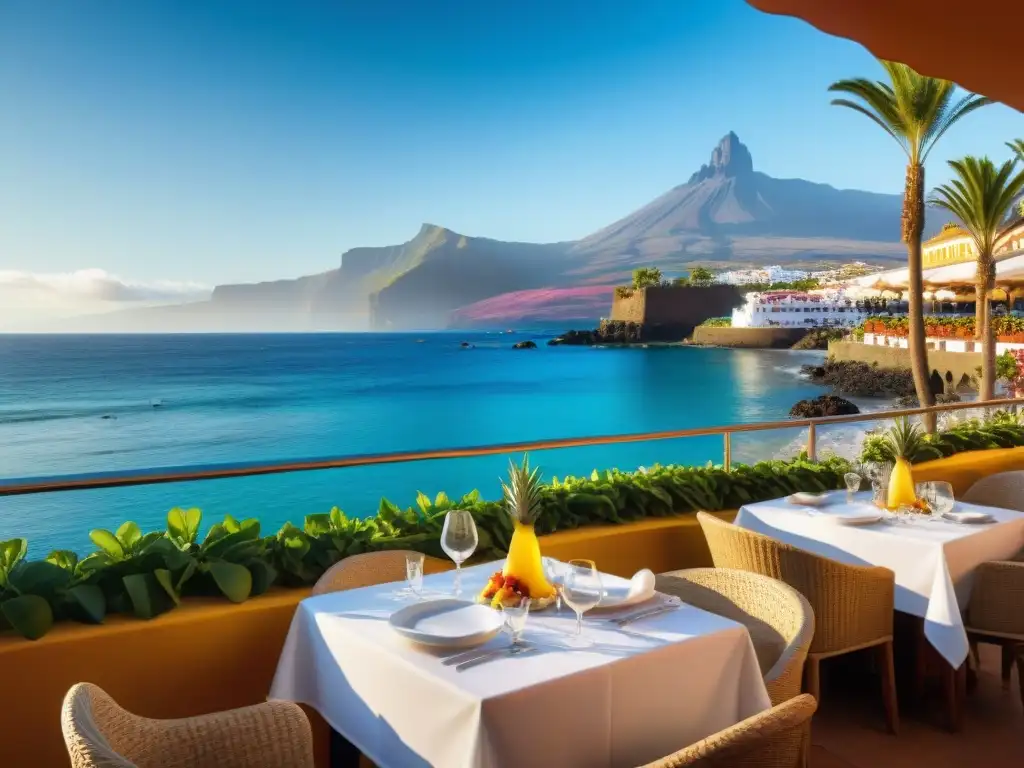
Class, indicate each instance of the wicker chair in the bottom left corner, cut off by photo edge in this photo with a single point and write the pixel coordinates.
(101, 735)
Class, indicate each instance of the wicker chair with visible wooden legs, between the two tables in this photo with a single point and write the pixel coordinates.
(854, 605)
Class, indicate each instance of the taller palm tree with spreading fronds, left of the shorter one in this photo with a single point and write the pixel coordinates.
(916, 111)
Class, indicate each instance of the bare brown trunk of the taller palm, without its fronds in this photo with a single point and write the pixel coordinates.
(914, 225)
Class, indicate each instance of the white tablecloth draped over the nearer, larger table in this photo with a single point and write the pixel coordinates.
(635, 696)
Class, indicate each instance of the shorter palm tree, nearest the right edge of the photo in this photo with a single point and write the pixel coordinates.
(983, 197)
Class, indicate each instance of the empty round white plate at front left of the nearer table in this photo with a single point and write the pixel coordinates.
(448, 623)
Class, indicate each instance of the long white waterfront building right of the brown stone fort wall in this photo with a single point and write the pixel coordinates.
(796, 310)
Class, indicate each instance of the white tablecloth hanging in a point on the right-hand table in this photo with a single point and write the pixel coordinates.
(933, 562)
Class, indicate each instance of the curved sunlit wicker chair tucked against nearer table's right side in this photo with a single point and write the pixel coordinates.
(780, 619)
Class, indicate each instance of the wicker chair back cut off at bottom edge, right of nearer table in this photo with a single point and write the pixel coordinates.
(771, 740)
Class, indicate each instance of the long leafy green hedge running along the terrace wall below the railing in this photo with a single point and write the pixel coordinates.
(149, 574)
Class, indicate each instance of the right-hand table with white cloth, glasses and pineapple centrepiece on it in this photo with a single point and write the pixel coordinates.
(931, 541)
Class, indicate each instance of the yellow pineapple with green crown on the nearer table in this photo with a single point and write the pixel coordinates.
(523, 499)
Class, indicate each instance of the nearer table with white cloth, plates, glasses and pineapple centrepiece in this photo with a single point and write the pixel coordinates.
(529, 661)
